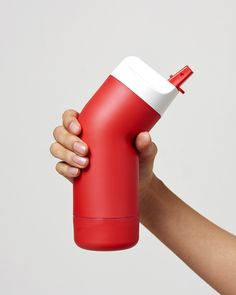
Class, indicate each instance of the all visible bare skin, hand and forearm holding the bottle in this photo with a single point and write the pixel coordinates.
(207, 249)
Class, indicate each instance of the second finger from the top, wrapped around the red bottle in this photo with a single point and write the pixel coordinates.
(70, 141)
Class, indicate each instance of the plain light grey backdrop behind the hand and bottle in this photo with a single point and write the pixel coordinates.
(54, 55)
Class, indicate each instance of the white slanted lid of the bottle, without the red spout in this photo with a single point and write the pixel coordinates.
(146, 83)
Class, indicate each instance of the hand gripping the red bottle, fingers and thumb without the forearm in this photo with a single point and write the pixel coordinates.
(72, 151)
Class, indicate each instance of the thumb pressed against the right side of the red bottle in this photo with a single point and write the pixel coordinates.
(146, 148)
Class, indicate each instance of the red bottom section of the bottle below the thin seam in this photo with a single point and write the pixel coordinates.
(106, 234)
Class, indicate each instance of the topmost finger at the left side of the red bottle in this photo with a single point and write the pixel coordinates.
(70, 121)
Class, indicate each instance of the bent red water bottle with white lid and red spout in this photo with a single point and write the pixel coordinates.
(106, 200)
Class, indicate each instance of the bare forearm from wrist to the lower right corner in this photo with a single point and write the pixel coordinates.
(206, 248)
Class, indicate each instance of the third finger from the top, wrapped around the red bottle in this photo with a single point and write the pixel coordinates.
(74, 160)
